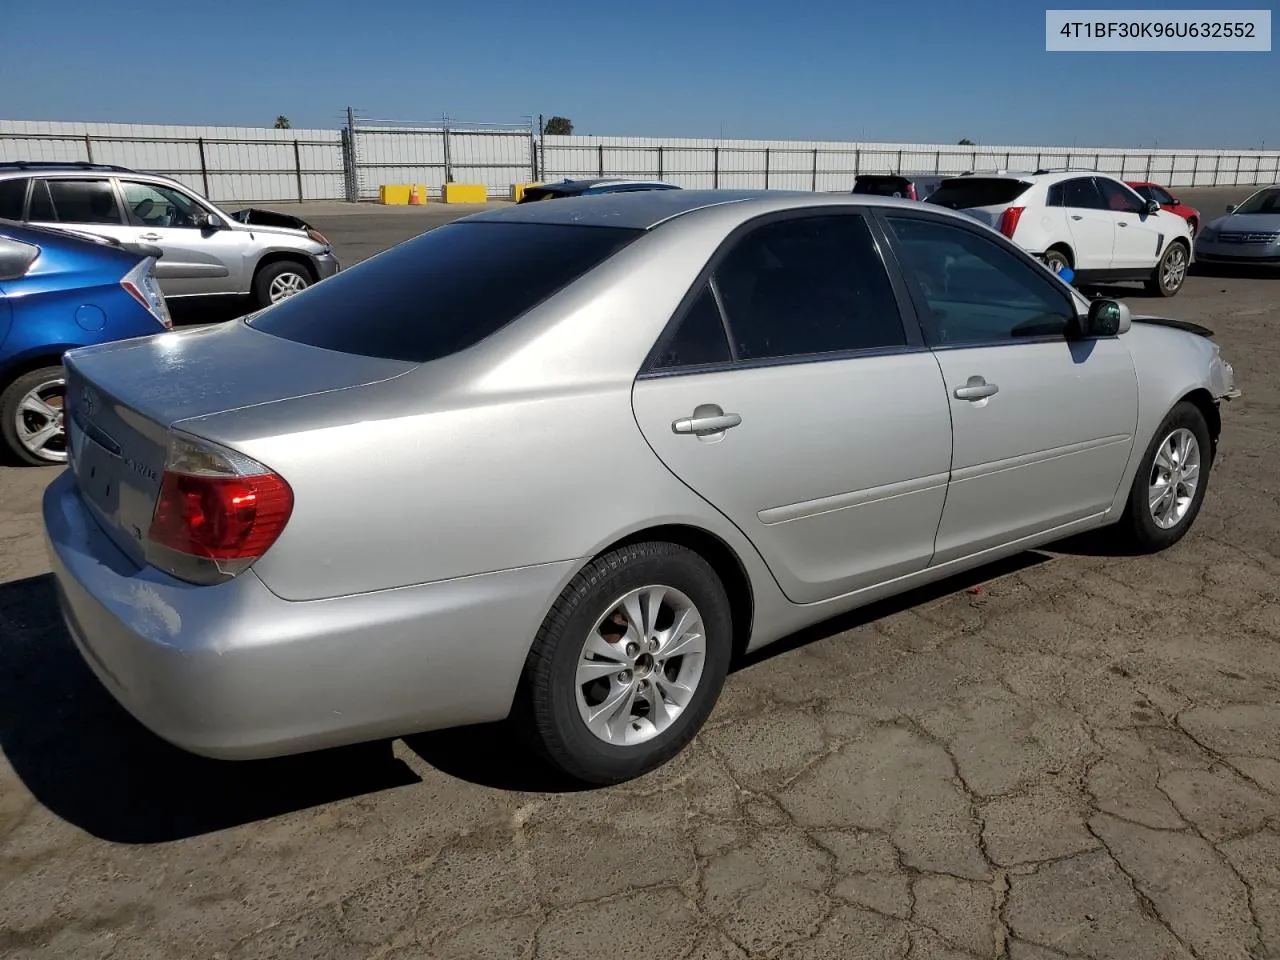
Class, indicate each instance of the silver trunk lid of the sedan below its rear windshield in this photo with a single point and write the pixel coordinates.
(124, 399)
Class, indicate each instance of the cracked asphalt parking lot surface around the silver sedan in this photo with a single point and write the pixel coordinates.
(1068, 756)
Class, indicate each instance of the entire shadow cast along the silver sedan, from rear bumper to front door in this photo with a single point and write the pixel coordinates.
(94, 766)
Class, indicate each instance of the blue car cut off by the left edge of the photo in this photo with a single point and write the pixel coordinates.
(61, 291)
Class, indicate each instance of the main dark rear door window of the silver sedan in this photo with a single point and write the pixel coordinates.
(808, 286)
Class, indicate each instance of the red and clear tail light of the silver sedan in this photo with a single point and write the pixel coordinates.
(218, 511)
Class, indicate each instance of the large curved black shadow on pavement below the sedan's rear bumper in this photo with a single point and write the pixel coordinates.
(93, 765)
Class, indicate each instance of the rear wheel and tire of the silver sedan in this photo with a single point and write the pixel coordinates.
(628, 665)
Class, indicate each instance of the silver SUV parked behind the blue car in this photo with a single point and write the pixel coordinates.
(205, 250)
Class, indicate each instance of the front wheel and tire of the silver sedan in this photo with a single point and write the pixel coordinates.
(1169, 488)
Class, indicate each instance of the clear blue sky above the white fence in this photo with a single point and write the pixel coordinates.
(917, 71)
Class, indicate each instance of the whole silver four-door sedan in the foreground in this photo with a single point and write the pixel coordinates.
(564, 463)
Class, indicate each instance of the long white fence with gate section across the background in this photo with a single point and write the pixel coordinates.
(259, 164)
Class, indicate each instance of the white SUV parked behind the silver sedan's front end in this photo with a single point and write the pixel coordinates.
(1089, 222)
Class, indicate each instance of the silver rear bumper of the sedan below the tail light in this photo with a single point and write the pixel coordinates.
(232, 671)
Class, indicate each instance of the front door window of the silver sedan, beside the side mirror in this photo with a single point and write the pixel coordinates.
(977, 290)
